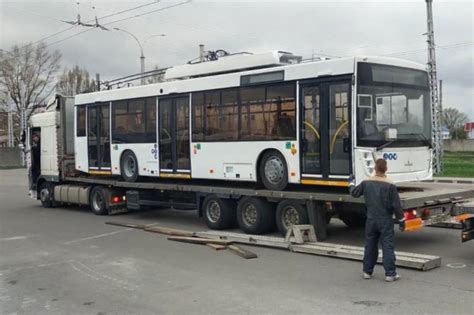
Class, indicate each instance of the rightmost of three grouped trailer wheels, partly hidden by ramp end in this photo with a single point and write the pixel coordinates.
(290, 213)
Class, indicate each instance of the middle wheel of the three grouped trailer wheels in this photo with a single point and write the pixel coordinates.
(255, 216)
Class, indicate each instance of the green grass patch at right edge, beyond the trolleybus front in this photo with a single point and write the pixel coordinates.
(458, 164)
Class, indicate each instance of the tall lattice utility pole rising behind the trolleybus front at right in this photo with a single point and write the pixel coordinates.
(435, 106)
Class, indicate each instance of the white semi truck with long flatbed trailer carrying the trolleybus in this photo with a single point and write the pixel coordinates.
(220, 203)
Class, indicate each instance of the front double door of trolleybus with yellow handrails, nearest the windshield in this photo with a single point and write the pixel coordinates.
(325, 131)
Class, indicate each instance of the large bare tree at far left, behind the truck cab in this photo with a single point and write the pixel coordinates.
(27, 79)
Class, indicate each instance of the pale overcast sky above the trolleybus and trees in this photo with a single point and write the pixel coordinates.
(307, 28)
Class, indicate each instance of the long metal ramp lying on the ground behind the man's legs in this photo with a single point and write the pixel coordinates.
(404, 259)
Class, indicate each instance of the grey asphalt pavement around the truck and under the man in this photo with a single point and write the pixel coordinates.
(66, 260)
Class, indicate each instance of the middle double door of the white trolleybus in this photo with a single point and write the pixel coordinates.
(174, 137)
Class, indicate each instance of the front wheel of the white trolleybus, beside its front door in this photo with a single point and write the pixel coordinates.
(273, 171)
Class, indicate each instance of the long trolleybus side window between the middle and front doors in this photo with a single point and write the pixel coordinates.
(253, 113)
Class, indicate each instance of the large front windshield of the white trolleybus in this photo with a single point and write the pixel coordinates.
(393, 106)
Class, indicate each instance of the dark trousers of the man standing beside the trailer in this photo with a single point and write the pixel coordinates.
(379, 229)
